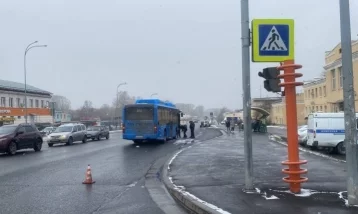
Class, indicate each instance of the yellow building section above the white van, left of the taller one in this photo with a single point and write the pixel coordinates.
(315, 96)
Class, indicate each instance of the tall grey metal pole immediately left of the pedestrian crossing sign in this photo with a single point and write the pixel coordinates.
(245, 40)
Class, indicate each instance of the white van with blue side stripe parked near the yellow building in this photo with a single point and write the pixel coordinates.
(326, 130)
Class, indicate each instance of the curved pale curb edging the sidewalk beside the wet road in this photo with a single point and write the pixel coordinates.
(194, 206)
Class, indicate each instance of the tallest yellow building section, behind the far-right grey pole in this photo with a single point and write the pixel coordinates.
(334, 77)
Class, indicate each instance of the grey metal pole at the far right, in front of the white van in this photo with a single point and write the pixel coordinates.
(349, 105)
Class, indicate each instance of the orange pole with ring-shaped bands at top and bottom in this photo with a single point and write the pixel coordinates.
(293, 171)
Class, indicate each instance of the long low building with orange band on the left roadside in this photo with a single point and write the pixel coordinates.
(12, 103)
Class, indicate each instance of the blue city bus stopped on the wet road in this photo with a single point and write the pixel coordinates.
(150, 119)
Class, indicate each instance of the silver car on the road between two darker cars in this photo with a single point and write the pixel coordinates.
(68, 133)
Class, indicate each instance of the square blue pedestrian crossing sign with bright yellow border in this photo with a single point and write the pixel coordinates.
(272, 40)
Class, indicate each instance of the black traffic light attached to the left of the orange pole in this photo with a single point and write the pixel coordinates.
(271, 80)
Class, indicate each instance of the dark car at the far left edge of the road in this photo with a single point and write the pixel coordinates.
(17, 137)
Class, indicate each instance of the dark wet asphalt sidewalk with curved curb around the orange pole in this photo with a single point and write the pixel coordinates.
(209, 178)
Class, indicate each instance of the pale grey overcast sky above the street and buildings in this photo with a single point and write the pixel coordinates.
(184, 50)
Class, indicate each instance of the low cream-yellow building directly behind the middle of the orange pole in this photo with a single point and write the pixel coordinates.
(278, 111)
